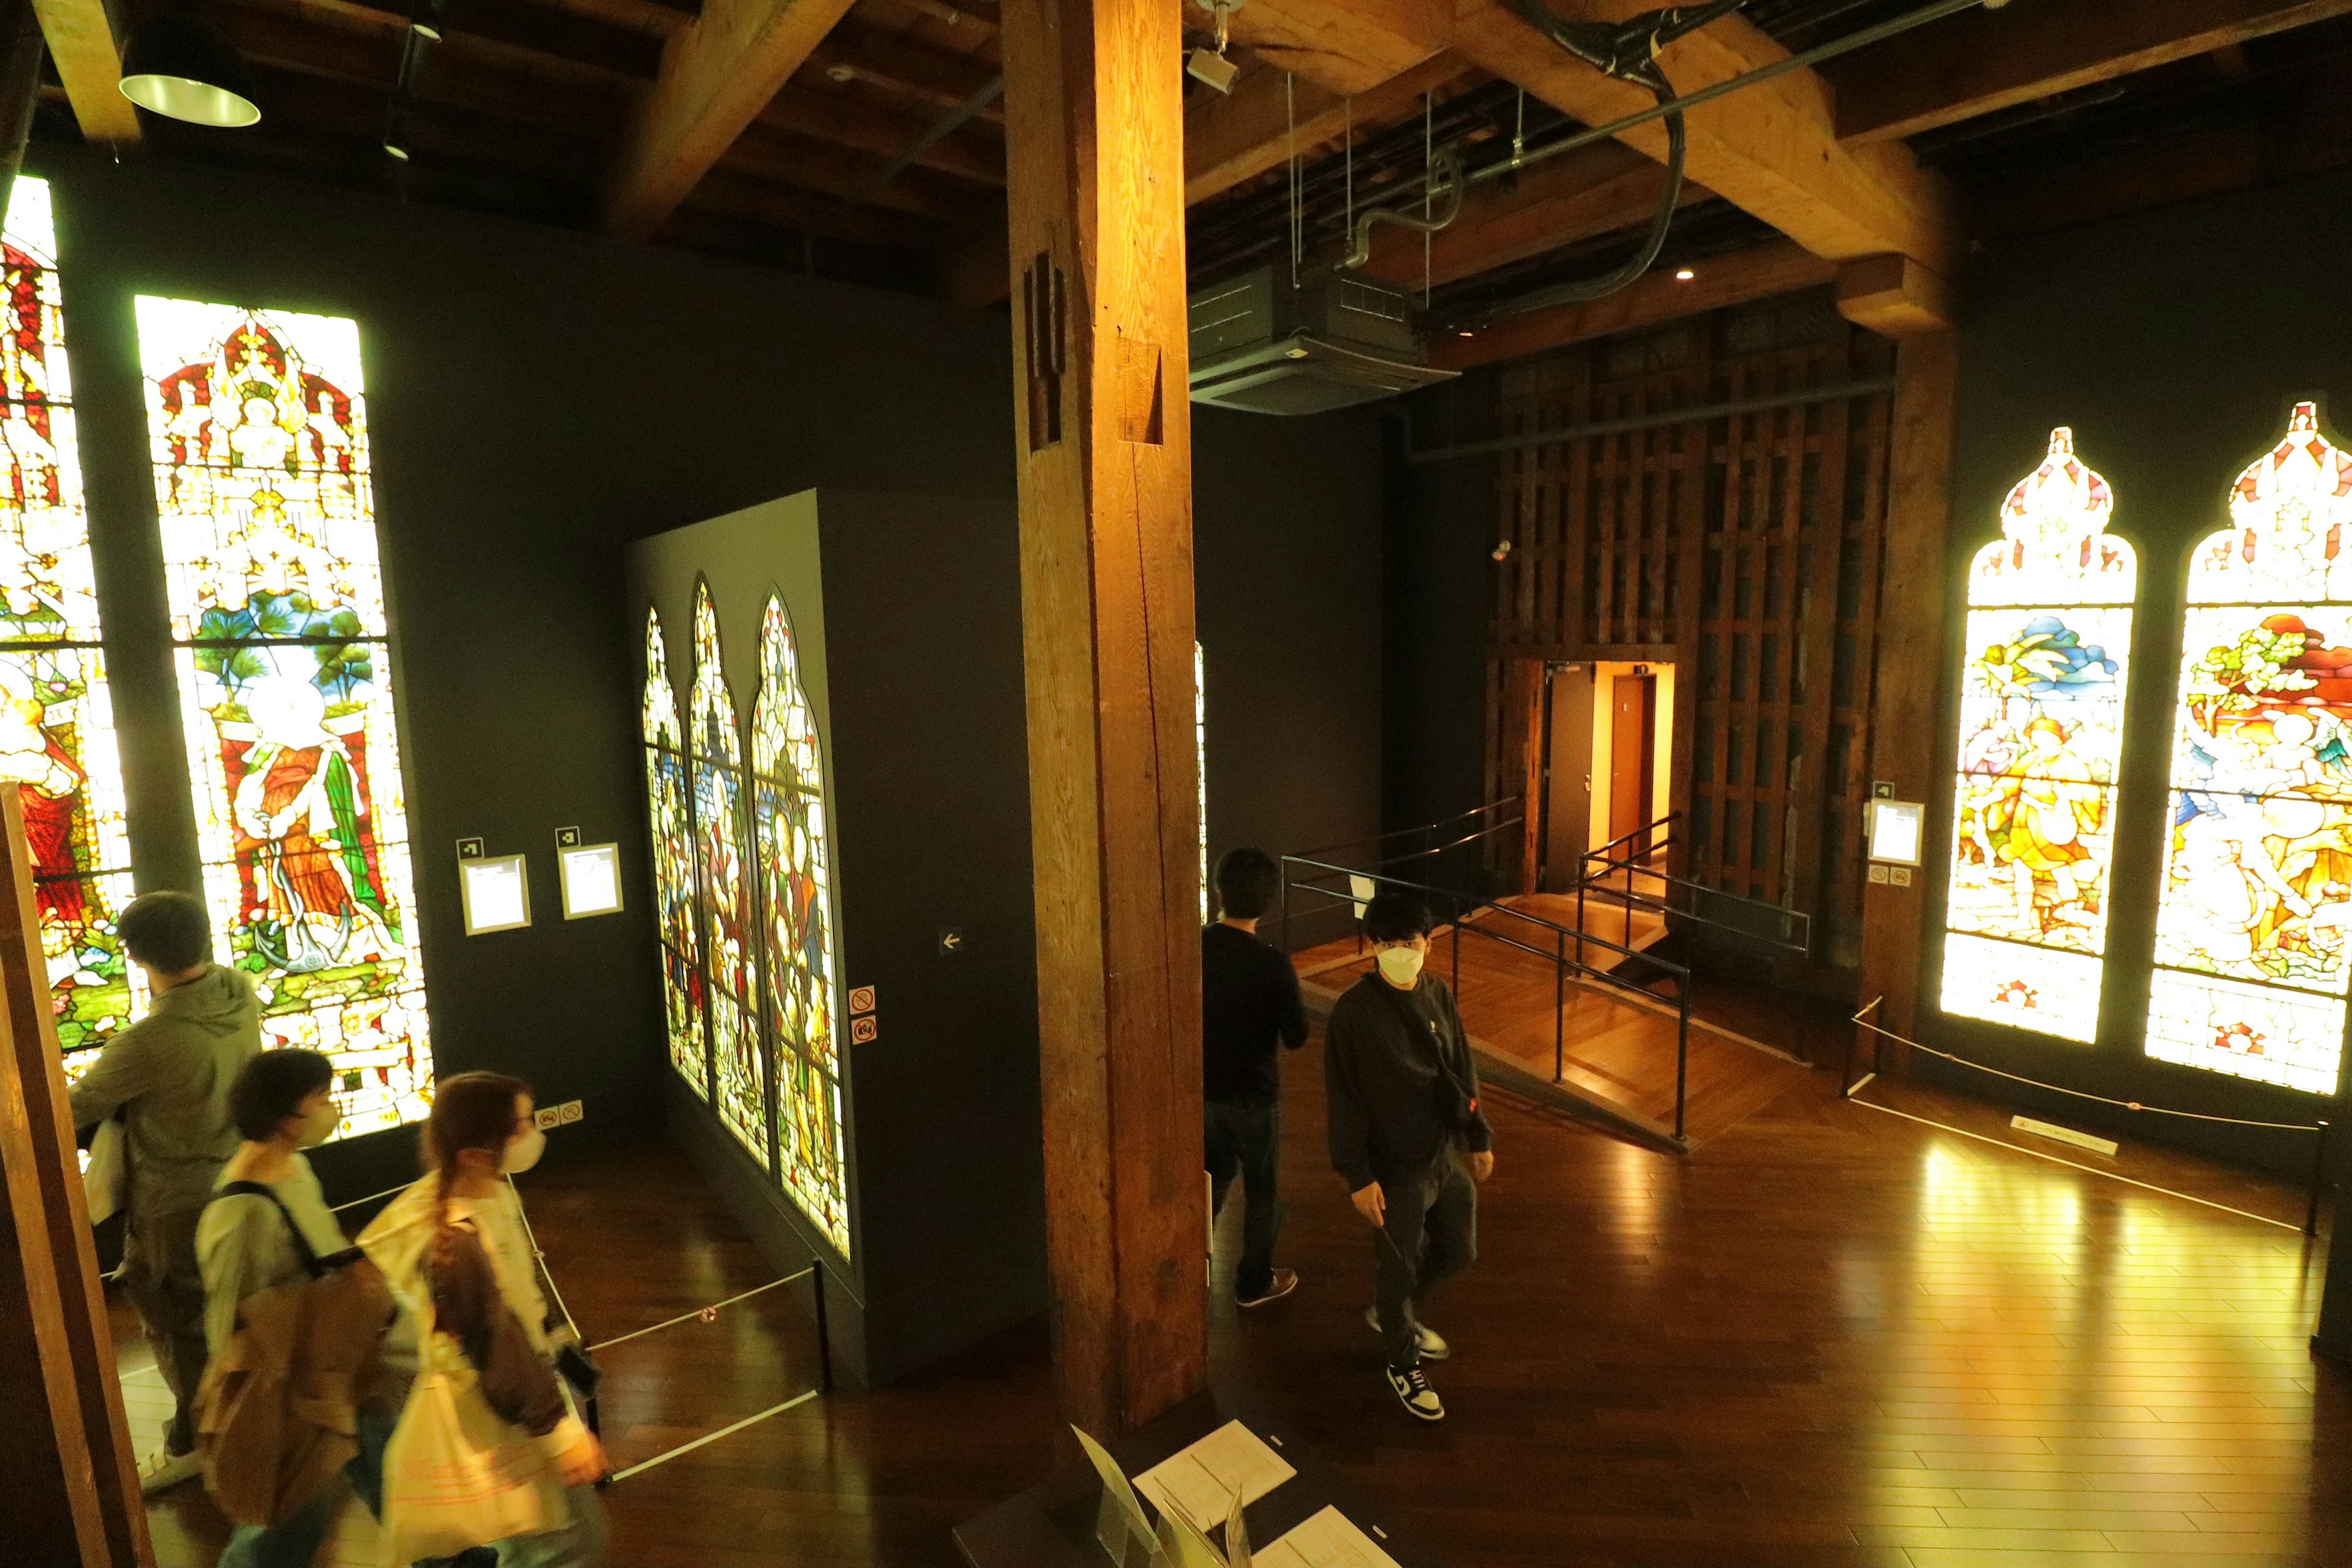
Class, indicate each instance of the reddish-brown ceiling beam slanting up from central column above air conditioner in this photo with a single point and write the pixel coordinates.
(1229, 140)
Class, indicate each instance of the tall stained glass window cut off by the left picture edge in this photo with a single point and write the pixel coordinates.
(58, 730)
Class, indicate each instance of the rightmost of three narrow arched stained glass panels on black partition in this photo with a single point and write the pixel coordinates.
(796, 890)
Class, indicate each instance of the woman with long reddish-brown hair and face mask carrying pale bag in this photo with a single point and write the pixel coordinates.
(462, 1266)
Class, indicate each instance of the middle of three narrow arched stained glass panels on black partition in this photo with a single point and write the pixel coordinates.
(723, 862)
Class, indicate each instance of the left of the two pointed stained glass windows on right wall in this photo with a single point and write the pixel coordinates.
(2040, 737)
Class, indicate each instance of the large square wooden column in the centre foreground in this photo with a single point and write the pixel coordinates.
(1095, 128)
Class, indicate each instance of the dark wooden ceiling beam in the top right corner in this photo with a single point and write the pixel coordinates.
(1982, 62)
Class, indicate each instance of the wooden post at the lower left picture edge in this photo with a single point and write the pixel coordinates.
(67, 1466)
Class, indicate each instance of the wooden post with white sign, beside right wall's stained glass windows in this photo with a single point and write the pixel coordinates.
(1911, 664)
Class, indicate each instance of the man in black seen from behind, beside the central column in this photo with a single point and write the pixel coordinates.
(1248, 1005)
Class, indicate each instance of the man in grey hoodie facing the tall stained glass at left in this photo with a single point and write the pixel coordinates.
(171, 1078)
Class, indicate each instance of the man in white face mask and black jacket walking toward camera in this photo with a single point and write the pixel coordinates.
(1408, 1137)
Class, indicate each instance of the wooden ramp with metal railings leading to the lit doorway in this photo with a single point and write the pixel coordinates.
(1617, 1052)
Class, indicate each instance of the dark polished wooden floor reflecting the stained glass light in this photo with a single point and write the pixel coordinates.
(1826, 1339)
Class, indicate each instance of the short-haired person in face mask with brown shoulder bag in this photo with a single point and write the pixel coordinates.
(269, 1226)
